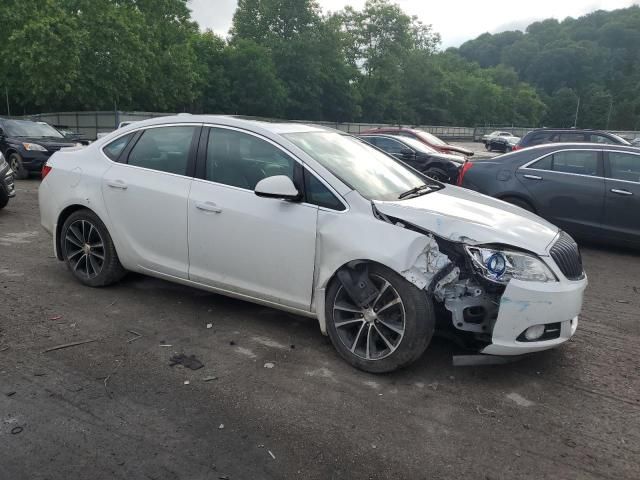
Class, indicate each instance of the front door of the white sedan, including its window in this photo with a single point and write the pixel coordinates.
(239, 242)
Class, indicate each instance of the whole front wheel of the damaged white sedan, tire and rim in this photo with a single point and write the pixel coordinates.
(412, 320)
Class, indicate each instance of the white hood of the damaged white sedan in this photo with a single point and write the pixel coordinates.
(464, 216)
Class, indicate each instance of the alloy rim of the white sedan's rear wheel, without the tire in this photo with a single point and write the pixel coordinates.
(84, 248)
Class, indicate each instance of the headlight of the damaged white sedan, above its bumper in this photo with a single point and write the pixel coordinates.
(500, 266)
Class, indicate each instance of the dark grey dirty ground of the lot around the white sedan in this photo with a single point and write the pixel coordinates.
(114, 408)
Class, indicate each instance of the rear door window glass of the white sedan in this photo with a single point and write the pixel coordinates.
(165, 149)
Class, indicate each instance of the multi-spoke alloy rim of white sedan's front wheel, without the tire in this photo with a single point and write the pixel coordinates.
(374, 332)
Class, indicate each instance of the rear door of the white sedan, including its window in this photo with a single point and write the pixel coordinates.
(147, 194)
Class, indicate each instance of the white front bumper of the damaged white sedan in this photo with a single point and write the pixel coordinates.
(525, 304)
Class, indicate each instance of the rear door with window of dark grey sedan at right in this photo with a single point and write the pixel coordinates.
(567, 188)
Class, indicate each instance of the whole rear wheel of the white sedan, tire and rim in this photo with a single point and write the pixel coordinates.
(90, 264)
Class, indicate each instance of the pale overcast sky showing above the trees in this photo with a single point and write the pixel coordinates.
(455, 20)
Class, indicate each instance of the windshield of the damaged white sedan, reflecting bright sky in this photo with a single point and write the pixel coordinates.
(373, 174)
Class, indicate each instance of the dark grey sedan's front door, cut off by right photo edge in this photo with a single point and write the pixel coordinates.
(622, 196)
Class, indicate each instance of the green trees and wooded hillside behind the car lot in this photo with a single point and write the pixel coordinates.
(288, 58)
